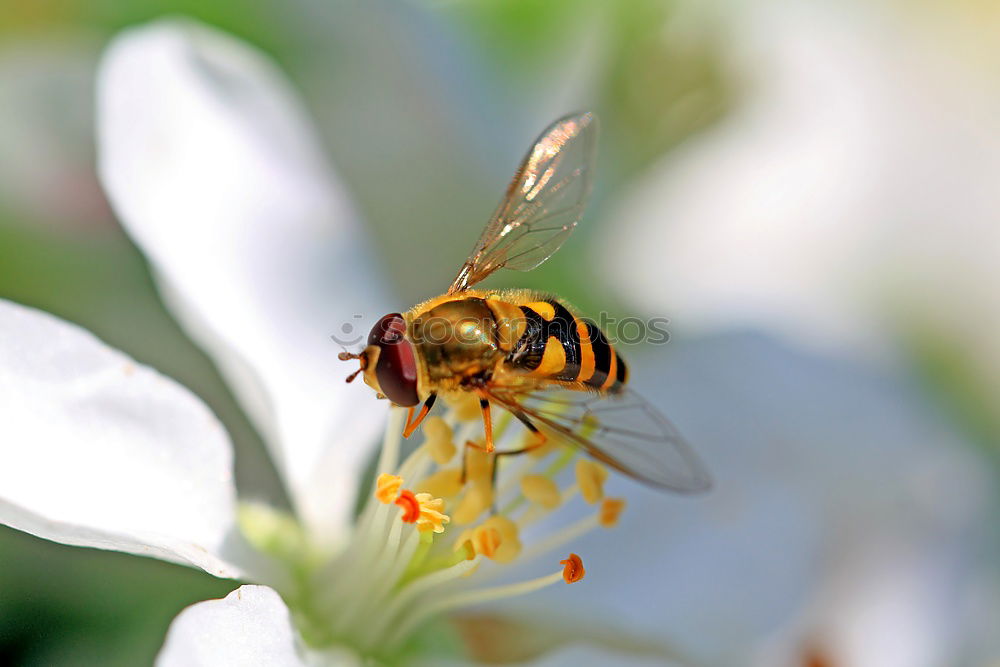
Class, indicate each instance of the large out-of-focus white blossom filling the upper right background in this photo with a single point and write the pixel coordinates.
(815, 209)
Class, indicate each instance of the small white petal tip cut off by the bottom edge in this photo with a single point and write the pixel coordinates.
(250, 626)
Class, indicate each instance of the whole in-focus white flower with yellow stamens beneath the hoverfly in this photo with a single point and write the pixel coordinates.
(209, 162)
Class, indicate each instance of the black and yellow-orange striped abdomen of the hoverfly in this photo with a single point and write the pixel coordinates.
(559, 346)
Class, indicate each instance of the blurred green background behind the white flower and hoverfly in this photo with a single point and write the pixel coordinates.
(425, 108)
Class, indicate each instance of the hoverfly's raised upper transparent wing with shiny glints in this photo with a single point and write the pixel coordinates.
(542, 205)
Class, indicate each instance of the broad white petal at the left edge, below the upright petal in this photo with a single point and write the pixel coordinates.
(103, 452)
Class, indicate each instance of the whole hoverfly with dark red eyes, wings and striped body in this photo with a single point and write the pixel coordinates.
(523, 351)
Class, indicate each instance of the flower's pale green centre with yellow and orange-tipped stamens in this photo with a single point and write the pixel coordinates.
(444, 523)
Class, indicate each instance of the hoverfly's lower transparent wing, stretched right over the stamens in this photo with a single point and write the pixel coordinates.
(624, 431)
